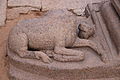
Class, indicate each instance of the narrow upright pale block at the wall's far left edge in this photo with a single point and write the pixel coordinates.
(3, 5)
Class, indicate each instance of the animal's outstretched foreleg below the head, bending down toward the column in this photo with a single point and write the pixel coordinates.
(95, 46)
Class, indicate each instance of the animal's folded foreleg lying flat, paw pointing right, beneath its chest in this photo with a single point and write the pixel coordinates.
(64, 54)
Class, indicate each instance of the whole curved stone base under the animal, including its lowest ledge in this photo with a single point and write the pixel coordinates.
(90, 68)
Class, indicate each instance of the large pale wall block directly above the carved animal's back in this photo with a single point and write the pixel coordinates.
(68, 4)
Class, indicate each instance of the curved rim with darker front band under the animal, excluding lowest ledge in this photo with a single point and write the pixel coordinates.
(70, 70)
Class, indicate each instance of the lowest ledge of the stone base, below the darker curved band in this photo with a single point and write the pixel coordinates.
(17, 74)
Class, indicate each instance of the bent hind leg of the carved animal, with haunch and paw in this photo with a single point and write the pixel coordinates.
(18, 43)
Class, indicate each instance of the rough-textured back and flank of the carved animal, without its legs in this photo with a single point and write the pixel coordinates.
(41, 32)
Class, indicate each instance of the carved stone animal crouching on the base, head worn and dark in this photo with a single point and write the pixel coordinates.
(58, 33)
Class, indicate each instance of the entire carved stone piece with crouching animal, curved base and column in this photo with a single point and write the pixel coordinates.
(69, 44)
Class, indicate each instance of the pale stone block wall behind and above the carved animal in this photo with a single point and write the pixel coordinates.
(16, 7)
